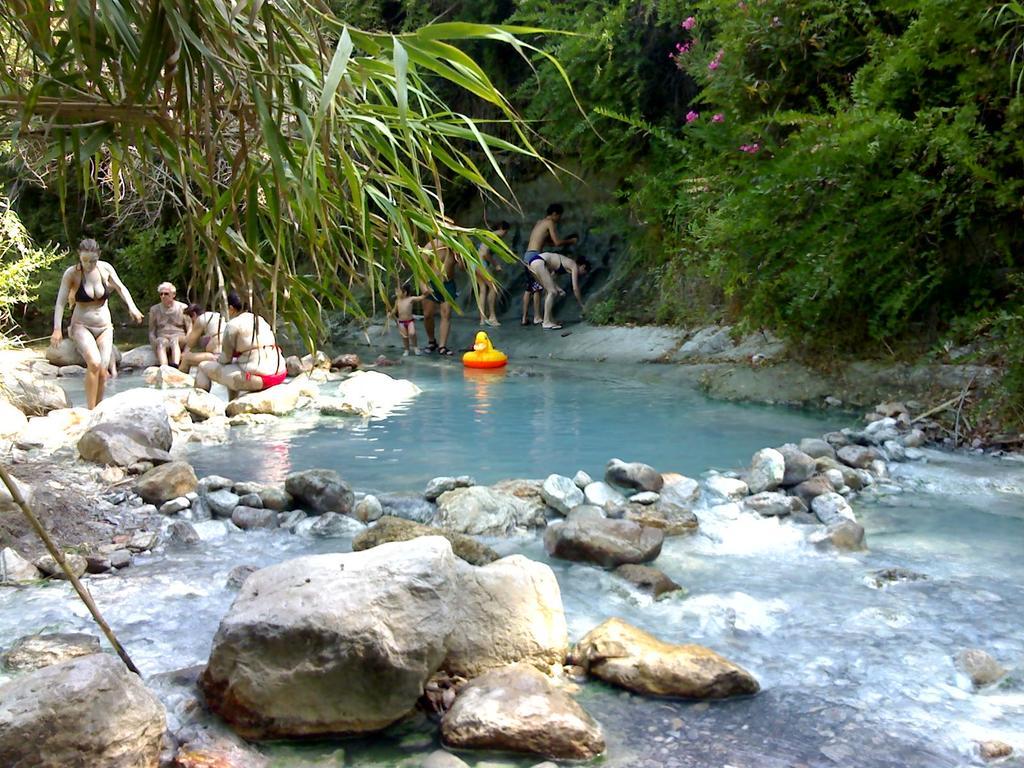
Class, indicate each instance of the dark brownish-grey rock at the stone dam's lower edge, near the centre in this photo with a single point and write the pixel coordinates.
(608, 543)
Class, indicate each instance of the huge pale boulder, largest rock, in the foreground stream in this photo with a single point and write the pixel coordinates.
(345, 644)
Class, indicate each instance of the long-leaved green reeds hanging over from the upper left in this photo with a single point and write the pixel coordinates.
(305, 157)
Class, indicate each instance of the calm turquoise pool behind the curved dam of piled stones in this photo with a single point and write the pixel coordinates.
(526, 422)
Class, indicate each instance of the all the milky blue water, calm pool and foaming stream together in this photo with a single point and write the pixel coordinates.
(854, 673)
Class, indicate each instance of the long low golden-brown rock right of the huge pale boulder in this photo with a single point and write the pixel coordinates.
(625, 656)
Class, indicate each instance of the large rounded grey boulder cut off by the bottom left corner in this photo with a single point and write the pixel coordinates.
(84, 713)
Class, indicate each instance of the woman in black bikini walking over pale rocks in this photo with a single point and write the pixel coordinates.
(87, 287)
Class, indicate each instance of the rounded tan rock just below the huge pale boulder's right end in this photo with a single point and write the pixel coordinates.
(519, 709)
